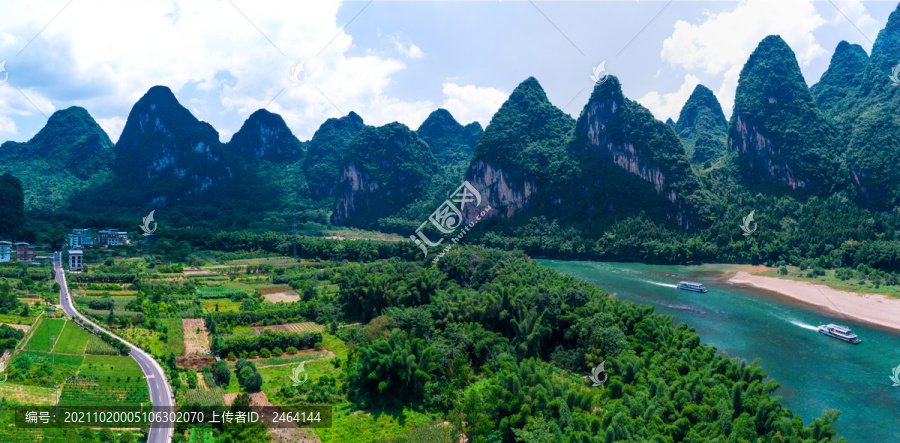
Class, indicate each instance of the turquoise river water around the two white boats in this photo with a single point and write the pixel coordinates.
(815, 372)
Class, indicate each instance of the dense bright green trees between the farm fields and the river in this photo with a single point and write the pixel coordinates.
(500, 346)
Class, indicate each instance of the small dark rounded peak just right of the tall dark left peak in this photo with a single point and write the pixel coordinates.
(265, 136)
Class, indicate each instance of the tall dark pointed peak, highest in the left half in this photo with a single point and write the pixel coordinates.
(166, 154)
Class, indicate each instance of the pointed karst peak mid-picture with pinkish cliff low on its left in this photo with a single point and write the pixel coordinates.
(510, 163)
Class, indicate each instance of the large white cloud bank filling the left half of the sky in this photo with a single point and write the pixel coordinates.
(104, 54)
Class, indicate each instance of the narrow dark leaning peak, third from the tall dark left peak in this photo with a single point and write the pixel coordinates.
(324, 153)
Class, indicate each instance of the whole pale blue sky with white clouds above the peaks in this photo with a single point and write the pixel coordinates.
(389, 61)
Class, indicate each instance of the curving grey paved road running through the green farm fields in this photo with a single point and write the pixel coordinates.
(160, 391)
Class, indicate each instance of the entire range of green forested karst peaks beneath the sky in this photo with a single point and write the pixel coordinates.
(815, 165)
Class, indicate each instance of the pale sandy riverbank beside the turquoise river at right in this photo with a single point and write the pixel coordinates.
(869, 308)
